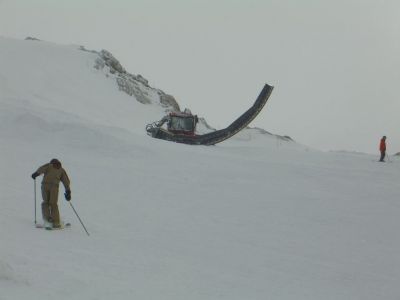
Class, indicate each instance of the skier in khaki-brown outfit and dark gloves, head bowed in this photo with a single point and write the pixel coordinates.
(53, 174)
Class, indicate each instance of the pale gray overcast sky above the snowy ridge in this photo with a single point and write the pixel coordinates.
(335, 65)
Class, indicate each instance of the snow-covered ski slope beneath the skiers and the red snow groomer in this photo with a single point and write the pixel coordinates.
(251, 218)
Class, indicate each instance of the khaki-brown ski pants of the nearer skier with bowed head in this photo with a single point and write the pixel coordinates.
(49, 204)
